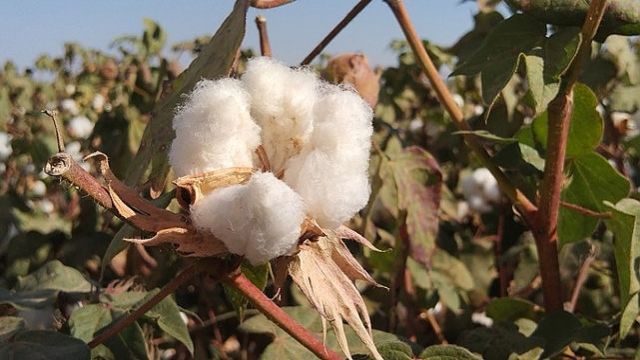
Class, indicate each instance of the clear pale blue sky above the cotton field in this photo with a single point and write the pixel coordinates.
(30, 28)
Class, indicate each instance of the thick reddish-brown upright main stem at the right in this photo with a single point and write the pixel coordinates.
(560, 110)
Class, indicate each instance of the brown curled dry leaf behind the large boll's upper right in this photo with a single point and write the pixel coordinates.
(354, 69)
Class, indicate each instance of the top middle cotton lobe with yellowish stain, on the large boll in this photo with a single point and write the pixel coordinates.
(282, 102)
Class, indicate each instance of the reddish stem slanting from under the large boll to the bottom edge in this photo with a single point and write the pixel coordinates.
(278, 316)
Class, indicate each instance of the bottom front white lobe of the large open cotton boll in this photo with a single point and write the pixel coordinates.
(261, 219)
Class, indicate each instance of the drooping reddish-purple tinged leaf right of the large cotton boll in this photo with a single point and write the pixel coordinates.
(418, 179)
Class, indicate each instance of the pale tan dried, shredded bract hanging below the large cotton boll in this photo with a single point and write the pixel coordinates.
(326, 267)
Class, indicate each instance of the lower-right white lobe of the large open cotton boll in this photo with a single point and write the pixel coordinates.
(333, 190)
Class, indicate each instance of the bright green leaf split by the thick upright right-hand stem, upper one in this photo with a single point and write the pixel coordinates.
(585, 132)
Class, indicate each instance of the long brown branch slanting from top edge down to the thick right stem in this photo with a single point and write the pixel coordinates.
(525, 206)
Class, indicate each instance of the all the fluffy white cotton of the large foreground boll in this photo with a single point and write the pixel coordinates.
(316, 135)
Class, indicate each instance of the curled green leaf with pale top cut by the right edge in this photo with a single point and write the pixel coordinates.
(625, 225)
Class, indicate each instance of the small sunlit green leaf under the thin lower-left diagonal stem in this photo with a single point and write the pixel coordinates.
(167, 315)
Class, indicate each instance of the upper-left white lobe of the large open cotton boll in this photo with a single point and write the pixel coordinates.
(214, 129)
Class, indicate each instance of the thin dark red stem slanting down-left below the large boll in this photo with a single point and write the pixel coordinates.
(129, 319)
